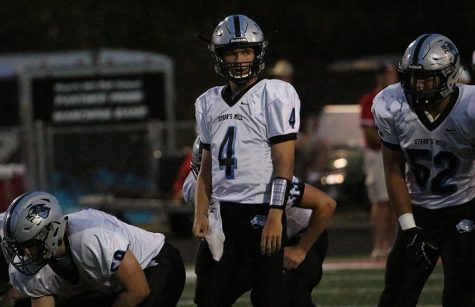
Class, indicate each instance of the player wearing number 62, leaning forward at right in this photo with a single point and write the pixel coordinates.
(427, 125)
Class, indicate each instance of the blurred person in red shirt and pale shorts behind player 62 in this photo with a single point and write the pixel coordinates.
(382, 220)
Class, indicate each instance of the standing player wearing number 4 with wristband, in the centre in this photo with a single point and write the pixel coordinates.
(248, 130)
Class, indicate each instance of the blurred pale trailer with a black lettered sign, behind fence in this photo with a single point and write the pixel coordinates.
(90, 121)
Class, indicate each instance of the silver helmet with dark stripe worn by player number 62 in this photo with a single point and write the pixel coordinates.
(430, 55)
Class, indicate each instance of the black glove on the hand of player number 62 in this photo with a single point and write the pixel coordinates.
(426, 252)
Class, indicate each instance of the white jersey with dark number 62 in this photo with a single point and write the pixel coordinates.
(440, 170)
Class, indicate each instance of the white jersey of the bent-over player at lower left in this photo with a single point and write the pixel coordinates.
(98, 242)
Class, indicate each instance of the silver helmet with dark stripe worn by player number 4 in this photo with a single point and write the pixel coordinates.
(238, 31)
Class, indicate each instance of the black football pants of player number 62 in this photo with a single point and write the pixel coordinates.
(404, 280)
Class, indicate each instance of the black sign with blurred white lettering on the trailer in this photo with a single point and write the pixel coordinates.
(99, 99)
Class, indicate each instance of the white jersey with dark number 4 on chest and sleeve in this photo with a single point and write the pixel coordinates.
(240, 133)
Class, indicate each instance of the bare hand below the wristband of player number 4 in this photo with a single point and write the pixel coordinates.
(271, 239)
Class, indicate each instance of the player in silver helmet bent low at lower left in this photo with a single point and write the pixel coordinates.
(87, 257)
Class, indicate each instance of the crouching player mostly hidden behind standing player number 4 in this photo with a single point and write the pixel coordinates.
(308, 211)
